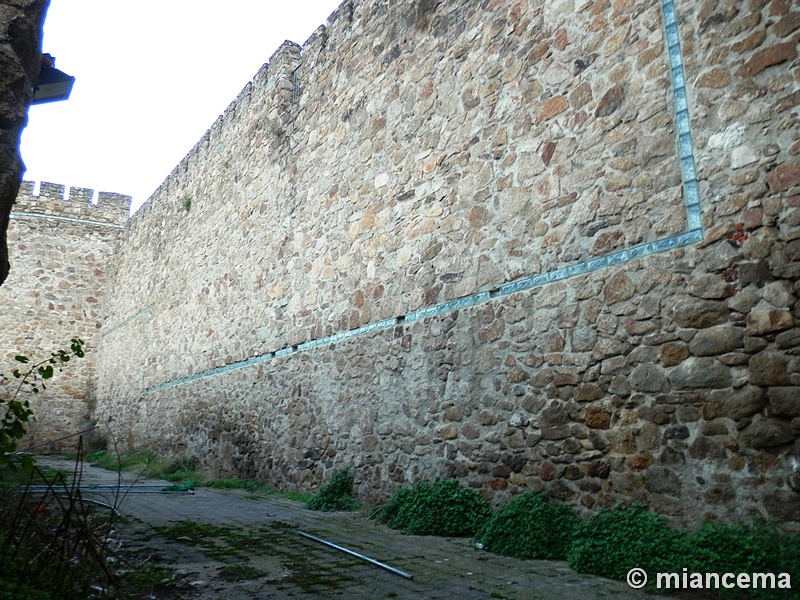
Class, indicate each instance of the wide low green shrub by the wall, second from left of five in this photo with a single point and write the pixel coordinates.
(444, 508)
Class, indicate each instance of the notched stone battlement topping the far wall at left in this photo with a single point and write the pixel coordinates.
(73, 202)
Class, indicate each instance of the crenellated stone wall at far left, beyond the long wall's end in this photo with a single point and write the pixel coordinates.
(59, 248)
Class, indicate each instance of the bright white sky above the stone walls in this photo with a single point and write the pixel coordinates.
(151, 77)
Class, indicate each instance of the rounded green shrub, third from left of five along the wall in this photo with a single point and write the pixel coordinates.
(530, 527)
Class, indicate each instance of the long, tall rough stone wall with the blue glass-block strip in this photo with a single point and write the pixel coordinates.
(528, 244)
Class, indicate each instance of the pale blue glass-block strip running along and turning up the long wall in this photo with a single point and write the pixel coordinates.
(693, 235)
